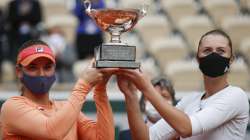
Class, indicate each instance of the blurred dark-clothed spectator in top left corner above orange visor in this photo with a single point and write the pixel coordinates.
(23, 19)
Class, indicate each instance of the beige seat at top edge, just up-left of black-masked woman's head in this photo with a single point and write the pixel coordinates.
(178, 9)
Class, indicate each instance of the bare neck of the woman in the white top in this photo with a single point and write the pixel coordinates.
(213, 85)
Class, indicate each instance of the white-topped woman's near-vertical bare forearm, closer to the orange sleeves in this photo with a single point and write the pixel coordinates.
(139, 129)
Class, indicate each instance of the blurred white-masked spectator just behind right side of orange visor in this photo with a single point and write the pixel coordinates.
(65, 54)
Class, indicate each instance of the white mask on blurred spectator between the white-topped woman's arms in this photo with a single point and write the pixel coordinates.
(151, 112)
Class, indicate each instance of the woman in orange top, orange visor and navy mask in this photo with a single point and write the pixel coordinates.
(32, 115)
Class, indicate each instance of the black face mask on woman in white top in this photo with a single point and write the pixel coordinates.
(214, 65)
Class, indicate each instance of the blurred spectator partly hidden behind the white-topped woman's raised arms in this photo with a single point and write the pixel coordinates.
(165, 88)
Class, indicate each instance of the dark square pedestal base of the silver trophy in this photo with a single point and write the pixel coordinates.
(116, 55)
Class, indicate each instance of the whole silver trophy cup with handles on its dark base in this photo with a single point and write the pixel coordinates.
(115, 21)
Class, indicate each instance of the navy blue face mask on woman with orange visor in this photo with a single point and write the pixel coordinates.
(38, 84)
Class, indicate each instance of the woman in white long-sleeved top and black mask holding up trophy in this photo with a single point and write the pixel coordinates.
(221, 112)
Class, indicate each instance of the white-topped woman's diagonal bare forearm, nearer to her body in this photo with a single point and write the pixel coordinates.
(177, 119)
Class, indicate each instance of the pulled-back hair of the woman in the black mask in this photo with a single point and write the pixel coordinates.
(217, 32)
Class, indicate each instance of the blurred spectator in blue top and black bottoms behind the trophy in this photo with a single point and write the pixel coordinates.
(88, 35)
